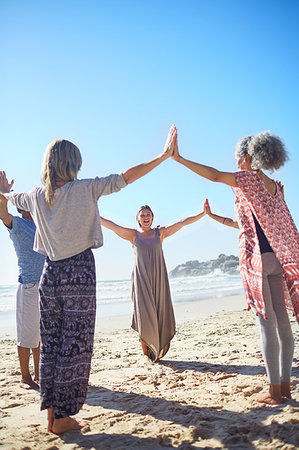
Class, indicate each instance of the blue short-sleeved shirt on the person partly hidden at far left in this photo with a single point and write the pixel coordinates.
(30, 263)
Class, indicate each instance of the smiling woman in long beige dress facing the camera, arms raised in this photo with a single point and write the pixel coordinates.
(153, 316)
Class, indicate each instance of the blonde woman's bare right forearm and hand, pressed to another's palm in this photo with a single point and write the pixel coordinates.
(139, 171)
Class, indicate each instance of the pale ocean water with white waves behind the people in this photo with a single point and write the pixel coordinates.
(114, 297)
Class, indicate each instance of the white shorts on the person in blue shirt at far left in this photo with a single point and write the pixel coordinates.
(27, 316)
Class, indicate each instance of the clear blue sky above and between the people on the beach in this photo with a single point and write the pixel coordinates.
(112, 76)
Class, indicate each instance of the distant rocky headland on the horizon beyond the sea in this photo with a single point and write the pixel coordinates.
(227, 264)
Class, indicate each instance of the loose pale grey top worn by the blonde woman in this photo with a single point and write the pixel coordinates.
(72, 224)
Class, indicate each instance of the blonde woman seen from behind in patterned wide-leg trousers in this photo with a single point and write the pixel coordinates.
(68, 226)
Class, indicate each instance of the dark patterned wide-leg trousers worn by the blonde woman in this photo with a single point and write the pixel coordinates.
(68, 309)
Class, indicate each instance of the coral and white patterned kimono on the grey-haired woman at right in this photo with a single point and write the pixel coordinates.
(276, 221)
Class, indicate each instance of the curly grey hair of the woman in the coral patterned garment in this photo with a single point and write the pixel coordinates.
(266, 151)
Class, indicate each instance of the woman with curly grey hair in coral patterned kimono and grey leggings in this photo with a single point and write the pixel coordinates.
(268, 251)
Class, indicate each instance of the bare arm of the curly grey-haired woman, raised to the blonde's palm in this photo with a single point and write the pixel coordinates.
(205, 171)
